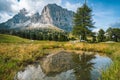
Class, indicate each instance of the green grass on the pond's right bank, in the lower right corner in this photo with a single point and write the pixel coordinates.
(113, 73)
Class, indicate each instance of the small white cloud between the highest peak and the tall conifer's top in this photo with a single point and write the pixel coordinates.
(71, 6)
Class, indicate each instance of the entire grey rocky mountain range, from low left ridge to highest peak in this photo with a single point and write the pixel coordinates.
(52, 15)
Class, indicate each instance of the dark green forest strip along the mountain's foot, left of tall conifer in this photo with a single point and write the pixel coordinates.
(39, 34)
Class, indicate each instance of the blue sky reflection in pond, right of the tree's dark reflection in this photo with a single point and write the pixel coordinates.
(101, 63)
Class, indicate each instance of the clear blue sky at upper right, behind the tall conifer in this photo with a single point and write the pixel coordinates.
(106, 12)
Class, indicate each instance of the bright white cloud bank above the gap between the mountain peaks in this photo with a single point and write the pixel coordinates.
(36, 5)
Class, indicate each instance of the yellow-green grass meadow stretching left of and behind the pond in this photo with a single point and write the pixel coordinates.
(13, 54)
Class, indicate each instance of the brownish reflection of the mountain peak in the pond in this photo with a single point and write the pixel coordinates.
(57, 62)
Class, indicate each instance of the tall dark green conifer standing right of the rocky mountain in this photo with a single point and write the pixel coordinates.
(83, 22)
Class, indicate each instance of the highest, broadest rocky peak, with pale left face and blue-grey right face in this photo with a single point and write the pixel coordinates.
(56, 15)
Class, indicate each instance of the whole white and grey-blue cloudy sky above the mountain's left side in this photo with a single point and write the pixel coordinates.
(8, 8)
